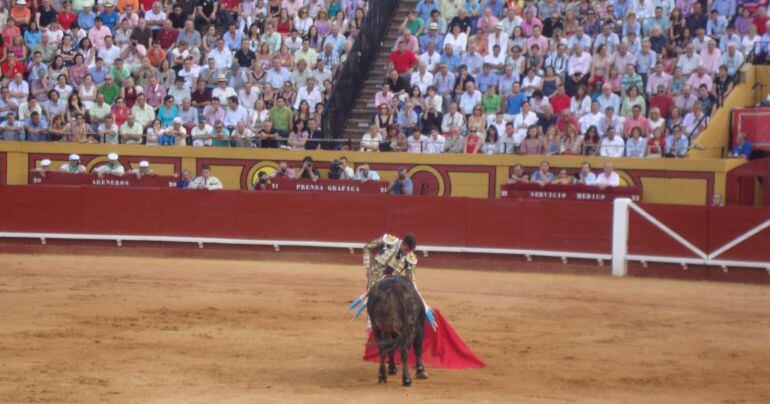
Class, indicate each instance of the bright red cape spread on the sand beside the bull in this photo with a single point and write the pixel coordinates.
(442, 348)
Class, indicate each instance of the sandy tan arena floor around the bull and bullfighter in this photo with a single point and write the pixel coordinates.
(96, 329)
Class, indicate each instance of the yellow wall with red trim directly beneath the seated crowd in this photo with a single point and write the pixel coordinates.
(682, 181)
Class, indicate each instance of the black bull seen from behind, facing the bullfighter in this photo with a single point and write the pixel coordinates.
(398, 323)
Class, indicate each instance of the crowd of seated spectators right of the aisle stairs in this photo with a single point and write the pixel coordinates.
(635, 78)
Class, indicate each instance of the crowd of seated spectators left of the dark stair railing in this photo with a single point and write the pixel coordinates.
(226, 73)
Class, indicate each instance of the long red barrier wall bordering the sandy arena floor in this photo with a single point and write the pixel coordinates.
(502, 223)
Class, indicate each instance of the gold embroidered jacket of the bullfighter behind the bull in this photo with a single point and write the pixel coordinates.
(387, 248)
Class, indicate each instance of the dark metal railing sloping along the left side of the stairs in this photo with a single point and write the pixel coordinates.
(351, 76)
